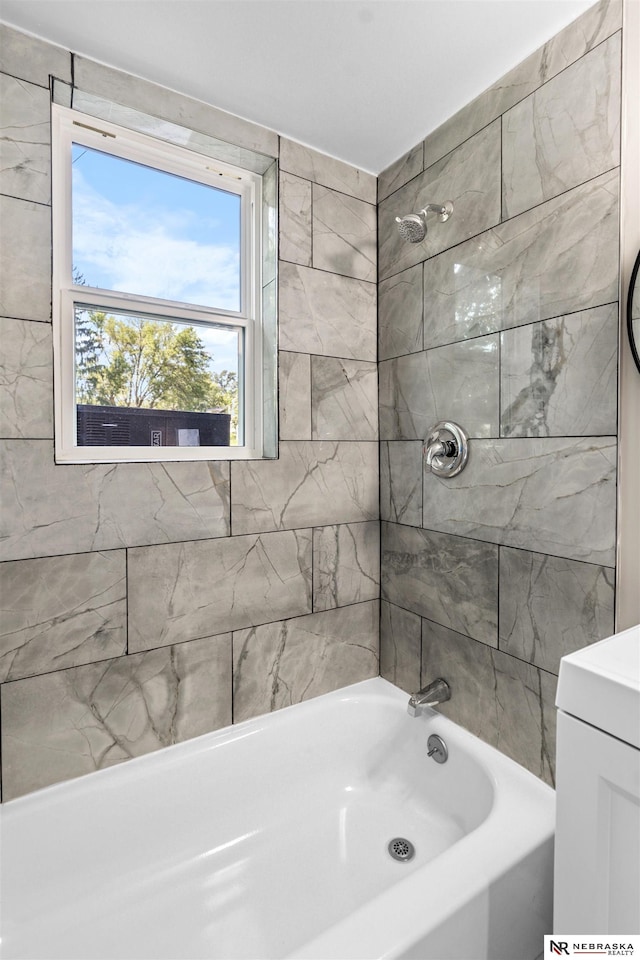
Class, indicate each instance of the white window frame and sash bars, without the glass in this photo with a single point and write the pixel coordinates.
(71, 126)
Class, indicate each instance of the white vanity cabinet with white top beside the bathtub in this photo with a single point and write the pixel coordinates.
(597, 847)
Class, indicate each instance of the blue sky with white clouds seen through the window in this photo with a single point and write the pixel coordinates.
(140, 230)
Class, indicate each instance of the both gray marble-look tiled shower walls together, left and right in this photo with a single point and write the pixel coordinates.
(145, 604)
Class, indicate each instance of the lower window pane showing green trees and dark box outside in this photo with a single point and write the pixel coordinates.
(145, 380)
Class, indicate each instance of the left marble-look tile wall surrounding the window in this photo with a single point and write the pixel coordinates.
(143, 604)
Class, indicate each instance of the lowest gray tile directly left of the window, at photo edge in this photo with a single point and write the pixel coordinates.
(26, 379)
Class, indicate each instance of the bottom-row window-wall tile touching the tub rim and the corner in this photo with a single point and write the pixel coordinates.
(279, 664)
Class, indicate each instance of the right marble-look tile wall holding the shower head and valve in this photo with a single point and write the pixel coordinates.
(505, 319)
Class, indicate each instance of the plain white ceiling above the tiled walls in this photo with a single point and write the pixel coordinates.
(361, 80)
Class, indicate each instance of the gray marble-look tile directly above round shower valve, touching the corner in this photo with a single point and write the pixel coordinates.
(457, 382)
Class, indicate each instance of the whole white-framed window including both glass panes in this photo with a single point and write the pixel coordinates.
(157, 298)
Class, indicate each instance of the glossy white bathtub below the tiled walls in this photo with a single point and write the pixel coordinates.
(269, 839)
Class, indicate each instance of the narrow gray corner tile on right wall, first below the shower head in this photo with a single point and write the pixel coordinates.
(400, 314)
